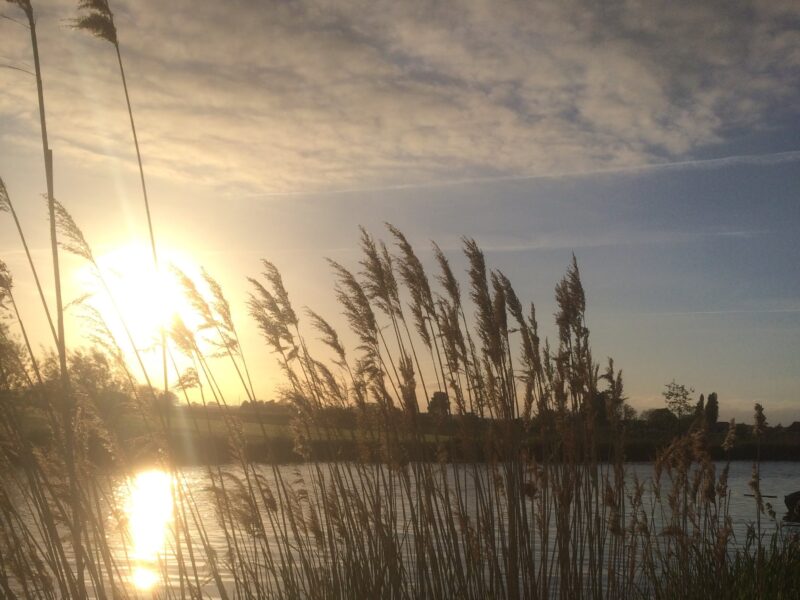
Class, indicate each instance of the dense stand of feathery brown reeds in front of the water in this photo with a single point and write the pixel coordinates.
(517, 505)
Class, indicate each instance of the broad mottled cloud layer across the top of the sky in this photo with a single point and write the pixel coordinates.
(314, 95)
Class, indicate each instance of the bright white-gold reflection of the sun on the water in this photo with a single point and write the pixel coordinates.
(149, 511)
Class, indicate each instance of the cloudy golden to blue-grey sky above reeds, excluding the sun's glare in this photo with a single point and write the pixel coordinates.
(658, 141)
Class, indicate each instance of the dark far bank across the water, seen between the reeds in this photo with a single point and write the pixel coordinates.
(268, 438)
